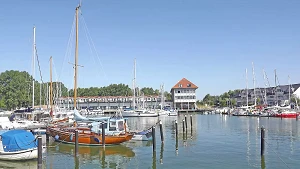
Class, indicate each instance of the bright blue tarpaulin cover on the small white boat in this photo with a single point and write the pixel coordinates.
(16, 140)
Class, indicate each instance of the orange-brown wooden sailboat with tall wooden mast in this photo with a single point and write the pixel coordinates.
(89, 135)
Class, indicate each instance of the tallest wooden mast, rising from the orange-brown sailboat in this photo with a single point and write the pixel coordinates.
(76, 59)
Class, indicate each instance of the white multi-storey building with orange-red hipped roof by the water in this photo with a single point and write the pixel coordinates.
(184, 95)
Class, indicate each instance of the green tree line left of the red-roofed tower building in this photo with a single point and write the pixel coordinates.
(16, 90)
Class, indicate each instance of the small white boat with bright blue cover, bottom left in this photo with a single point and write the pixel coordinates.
(18, 145)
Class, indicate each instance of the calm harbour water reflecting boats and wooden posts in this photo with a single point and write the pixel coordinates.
(215, 141)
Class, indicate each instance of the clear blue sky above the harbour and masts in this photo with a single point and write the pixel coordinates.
(210, 42)
